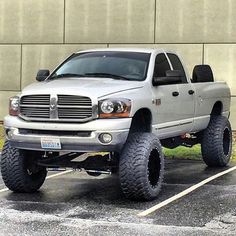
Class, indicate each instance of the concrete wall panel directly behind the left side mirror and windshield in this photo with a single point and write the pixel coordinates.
(46, 57)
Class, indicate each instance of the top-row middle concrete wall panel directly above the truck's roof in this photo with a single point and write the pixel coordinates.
(110, 21)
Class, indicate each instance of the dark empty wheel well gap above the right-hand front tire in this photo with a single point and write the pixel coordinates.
(141, 121)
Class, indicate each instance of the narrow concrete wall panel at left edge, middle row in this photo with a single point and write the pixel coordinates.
(10, 64)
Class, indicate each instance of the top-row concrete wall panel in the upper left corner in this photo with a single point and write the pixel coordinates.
(30, 21)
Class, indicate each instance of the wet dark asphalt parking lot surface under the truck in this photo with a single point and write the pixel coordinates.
(75, 203)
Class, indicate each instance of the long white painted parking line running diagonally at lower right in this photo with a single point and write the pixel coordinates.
(185, 192)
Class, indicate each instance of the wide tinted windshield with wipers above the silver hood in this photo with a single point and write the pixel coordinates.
(115, 65)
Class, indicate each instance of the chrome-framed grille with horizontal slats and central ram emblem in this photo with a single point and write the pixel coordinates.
(68, 108)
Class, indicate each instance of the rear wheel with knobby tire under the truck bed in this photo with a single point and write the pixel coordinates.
(217, 142)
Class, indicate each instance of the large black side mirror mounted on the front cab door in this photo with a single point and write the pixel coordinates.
(172, 77)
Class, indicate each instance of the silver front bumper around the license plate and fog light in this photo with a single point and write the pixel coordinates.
(118, 128)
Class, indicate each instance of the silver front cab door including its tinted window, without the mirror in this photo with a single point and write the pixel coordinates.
(166, 103)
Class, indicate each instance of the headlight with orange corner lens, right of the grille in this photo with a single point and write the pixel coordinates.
(111, 108)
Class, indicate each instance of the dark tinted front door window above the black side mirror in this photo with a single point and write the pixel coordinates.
(161, 66)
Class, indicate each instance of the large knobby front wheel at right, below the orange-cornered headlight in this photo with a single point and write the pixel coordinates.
(141, 167)
